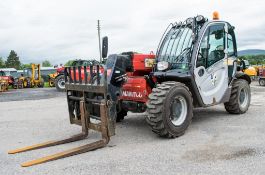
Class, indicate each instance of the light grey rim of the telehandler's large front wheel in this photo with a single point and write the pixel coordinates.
(178, 110)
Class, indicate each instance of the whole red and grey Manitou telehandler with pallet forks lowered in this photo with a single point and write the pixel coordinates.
(195, 66)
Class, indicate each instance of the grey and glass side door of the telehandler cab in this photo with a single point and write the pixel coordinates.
(211, 71)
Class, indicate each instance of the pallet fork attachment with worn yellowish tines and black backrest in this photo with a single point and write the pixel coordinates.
(78, 90)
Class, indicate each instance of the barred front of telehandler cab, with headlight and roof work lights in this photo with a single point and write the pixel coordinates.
(176, 45)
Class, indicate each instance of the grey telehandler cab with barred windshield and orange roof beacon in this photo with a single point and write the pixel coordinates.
(201, 54)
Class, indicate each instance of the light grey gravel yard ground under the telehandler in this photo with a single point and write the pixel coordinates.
(215, 143)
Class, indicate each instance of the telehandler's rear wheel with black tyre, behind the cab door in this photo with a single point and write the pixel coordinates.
(234, 105)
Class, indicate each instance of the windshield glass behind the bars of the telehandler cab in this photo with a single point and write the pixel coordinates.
(176, 42)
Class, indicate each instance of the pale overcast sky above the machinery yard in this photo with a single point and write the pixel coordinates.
(59, 30)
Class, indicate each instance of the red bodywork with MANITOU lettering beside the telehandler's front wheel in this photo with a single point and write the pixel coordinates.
(136, 88)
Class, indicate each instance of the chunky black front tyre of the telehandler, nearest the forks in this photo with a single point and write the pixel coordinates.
(159, 113)
